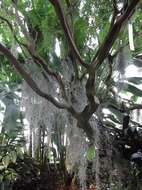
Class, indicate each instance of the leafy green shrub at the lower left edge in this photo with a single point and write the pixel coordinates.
(11, 148)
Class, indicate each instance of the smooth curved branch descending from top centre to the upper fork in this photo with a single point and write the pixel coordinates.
(67, 32)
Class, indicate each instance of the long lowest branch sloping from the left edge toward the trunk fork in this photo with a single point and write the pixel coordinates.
(29, 80)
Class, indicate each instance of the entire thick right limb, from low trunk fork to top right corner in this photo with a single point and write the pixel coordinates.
(103, 53)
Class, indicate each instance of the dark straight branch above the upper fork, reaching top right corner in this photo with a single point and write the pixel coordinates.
(104, 49)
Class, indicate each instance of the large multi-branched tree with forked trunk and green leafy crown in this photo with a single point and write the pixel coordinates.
(90, 35)
